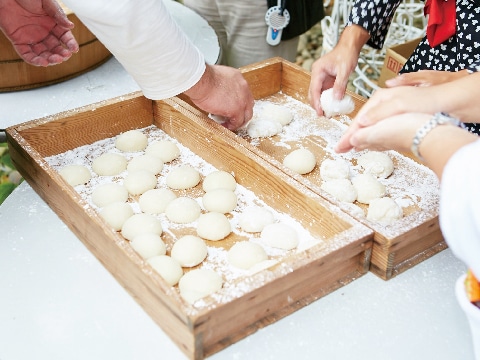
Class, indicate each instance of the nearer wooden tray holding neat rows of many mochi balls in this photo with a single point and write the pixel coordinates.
(248, 303)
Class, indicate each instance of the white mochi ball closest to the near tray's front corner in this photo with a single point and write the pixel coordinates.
(198, 283)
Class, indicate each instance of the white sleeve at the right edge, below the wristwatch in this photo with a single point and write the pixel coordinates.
(460, 205)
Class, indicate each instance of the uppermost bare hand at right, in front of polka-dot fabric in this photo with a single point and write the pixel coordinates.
(425, 78)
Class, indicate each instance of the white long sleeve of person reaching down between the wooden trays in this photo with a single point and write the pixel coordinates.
(145, 39)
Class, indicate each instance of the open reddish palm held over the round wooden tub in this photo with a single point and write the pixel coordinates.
(39, 30)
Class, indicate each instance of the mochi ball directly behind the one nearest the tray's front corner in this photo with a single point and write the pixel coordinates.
(189, 250)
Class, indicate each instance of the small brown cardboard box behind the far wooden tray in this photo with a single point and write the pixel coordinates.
(395, 58)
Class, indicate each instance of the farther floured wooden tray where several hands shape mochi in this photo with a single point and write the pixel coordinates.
(397, 247)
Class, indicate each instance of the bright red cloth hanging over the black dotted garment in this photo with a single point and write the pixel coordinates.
(441, 20)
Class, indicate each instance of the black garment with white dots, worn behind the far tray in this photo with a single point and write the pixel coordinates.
(460, 52)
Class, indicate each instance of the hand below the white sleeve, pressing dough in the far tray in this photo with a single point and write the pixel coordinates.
(223, 91)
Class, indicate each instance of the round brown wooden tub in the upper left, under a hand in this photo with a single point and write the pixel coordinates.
(18, 75)
